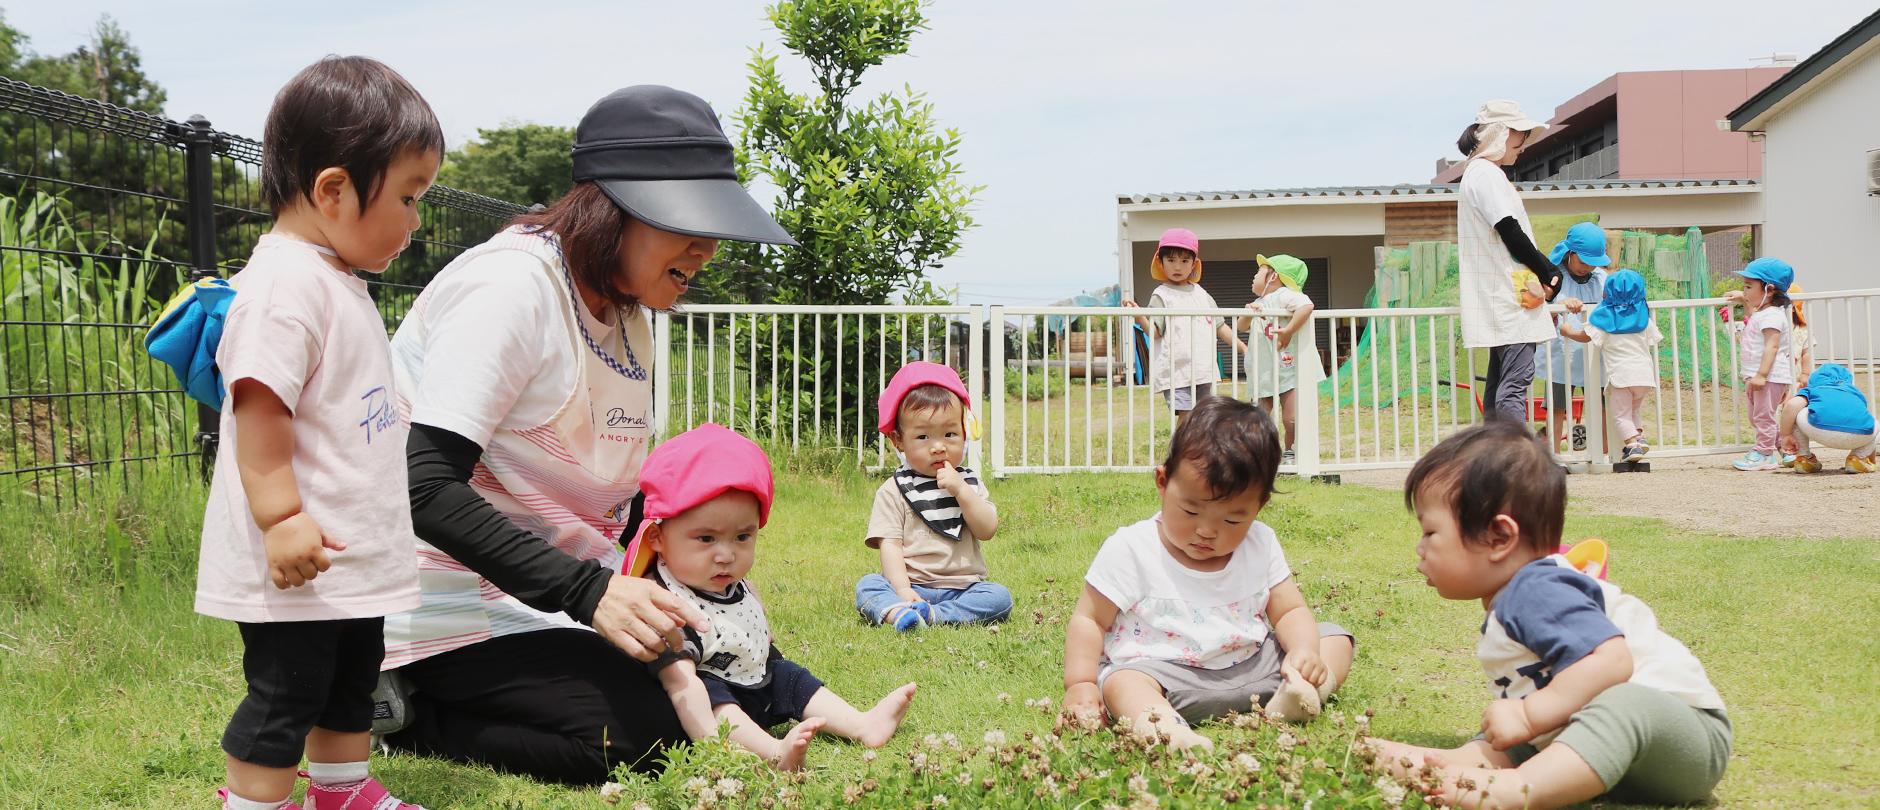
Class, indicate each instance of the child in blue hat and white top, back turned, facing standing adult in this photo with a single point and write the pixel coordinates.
(1629, 345)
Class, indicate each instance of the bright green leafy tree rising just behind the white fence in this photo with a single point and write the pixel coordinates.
(871, 191)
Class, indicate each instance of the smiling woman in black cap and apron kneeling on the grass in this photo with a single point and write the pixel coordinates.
(524, 371)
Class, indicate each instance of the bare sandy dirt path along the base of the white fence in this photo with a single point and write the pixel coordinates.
(1706, 495)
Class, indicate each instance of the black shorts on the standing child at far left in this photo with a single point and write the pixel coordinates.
(304, 676)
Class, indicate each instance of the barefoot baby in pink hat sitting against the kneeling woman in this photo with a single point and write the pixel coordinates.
(708, 495)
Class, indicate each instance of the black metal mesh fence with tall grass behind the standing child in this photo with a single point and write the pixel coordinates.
(104, 215)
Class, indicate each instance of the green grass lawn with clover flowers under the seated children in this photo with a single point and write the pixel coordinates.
(116, 693)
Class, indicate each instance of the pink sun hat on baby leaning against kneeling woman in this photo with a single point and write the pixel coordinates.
(693, 469)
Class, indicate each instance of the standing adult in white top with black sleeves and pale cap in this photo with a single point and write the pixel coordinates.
(1501, 311)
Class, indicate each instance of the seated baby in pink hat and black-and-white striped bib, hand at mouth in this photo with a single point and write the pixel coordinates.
(932, 516)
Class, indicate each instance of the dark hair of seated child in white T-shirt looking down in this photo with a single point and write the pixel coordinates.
(1234, 446)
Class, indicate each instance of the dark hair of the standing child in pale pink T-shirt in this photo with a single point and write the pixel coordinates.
(343, 112)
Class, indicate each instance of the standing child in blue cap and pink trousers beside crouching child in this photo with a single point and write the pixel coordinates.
(1766, 364)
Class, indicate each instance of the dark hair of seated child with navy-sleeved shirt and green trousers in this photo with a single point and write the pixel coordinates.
(1496, 469)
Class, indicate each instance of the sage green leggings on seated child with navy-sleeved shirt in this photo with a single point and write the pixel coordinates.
(1646, 745)
